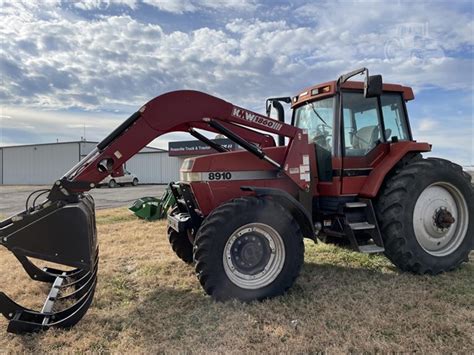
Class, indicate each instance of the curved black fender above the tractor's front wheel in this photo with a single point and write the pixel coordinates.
(291, 204)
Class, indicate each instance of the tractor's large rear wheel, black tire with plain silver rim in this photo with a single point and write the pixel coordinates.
(426, 215)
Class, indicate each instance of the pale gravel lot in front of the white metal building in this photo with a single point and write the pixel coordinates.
(13, 198)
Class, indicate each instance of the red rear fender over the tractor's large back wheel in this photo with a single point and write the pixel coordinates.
(397, 152)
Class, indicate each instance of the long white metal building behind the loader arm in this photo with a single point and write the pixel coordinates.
(38, 164)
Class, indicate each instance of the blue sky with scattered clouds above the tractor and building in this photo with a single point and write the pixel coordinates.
(66, 65)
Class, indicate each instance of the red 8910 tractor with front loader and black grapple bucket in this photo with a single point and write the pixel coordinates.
(350, 172)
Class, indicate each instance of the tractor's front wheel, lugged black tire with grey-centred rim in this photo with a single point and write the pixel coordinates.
(248, 249)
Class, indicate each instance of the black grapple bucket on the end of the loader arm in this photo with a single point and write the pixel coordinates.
(59, 232)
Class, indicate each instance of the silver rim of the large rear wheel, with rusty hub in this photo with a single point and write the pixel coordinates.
(440, 219)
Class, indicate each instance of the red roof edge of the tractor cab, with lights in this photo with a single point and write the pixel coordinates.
(327, 89)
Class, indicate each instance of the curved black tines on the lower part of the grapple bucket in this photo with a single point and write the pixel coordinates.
(76, 286)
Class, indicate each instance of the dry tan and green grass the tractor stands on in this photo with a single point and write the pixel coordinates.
(147, 300)
